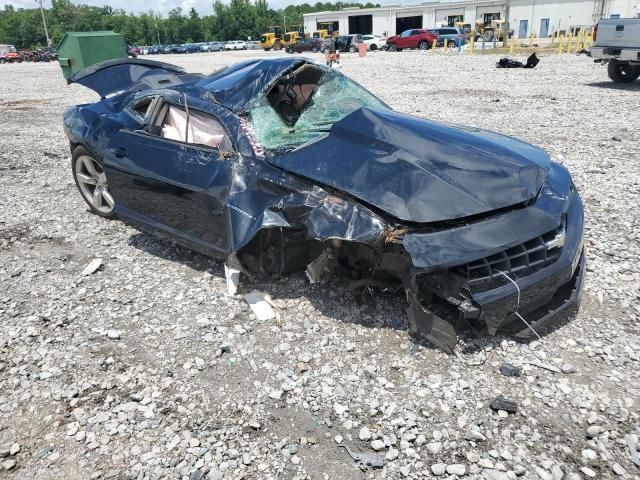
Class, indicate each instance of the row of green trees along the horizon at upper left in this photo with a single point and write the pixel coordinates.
(236, 20)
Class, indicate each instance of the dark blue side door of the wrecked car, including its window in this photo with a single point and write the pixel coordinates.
(174, 185)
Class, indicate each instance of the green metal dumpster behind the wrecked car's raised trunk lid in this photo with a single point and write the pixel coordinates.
(78, 50)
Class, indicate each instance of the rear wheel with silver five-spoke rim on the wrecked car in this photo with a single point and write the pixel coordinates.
(91, 181)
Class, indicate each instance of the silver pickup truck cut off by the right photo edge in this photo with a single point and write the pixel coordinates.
(617, 41)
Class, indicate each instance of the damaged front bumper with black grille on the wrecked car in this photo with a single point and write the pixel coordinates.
(525, 290)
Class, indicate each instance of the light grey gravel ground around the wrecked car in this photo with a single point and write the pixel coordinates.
(146, 369)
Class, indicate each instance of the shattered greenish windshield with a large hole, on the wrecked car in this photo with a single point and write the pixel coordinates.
(304, 105)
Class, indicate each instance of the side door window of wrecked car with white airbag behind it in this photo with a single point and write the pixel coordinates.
(202, 129)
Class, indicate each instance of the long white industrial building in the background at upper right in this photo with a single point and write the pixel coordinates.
(526, 17)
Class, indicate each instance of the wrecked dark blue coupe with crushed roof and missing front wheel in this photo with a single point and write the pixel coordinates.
(278, 165)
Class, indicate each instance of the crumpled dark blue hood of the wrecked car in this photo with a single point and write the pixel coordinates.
(420, 171)
